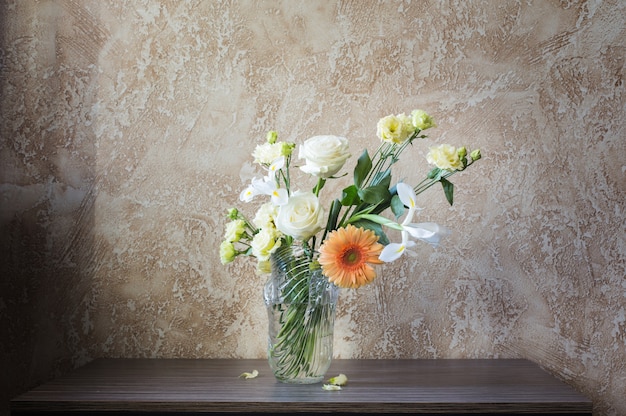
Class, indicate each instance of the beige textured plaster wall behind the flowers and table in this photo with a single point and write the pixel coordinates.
(125, 126)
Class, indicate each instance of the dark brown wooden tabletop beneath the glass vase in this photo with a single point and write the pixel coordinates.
(209, 387)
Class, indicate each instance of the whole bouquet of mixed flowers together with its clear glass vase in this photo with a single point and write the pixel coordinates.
(310, 250)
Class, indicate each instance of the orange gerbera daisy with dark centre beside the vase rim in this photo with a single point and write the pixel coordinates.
(347, 255)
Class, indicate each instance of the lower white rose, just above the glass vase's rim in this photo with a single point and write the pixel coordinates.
(301, 217)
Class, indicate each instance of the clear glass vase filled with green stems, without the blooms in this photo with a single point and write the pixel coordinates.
(301, 310)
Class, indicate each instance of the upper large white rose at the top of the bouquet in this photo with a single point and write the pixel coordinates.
(324, 155)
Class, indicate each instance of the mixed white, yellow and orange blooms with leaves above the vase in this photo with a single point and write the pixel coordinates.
(349, 238)
